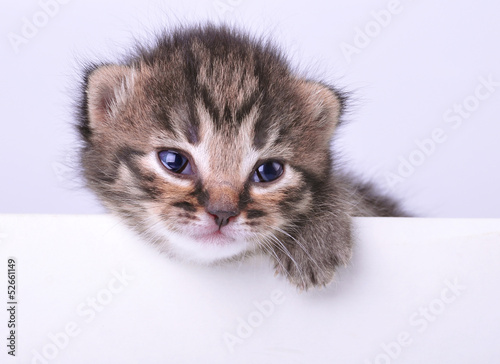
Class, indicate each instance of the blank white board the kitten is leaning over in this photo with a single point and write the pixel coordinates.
(89, 291)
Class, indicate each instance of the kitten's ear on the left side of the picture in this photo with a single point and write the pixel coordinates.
(107, 89)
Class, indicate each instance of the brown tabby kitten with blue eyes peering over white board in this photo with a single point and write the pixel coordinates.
(209, 146)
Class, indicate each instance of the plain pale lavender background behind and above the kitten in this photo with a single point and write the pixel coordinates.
(428, 57)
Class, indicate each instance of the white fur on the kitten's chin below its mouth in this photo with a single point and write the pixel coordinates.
(190, 249)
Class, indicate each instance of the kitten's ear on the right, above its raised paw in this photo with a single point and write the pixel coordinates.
(326, 106)
